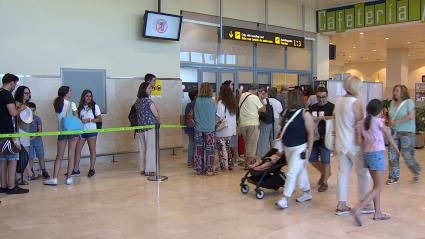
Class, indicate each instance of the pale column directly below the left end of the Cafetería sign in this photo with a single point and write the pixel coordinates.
(321, 57)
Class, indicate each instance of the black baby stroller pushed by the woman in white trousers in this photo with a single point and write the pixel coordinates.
(271, 178)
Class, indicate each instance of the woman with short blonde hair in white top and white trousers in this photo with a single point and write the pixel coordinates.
(348, 112)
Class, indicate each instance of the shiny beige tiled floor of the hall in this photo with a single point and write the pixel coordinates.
(119, 203)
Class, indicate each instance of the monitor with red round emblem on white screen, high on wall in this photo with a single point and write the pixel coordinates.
(162, 26)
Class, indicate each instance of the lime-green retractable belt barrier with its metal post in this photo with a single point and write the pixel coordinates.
(157, 176)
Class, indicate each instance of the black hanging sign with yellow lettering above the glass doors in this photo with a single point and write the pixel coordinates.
(248, 35)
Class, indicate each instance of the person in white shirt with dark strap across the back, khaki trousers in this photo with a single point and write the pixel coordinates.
(249, 108)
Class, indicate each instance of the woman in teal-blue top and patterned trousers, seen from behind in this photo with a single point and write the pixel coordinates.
(203, 158)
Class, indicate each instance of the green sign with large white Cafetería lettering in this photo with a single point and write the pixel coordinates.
(376, 13)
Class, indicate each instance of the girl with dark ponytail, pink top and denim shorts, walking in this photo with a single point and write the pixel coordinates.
(370, 134)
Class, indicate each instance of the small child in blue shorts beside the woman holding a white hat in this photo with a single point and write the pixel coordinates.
(36, 143)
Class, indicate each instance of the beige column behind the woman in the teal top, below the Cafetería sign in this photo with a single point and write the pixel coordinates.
(397, 69)
